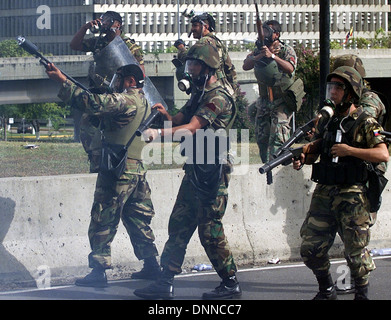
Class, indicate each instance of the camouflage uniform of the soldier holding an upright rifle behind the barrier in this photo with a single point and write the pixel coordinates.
(272, 121)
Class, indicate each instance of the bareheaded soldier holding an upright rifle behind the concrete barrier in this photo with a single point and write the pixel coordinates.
(274, 114)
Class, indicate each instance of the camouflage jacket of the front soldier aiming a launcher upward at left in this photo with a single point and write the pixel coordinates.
(116, 111)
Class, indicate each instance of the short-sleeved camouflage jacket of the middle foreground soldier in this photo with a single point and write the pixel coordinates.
(216, 106)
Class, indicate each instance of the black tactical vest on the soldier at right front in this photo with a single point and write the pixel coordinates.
(348, 170)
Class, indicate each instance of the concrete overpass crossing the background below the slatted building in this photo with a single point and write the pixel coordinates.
(23, 80)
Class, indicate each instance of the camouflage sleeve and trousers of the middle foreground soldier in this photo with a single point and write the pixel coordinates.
(188, 212)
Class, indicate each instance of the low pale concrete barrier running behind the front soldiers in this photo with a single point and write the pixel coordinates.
(44, 222)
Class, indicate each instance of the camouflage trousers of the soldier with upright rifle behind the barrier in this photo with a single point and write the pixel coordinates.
(272, 126)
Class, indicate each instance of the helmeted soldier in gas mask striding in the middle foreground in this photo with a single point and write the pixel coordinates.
(202, 198)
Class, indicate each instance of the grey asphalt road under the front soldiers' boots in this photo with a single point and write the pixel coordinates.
(284, 281)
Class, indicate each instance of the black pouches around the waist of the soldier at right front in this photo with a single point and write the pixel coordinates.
(339, 173)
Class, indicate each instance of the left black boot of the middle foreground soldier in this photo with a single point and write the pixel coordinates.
(161, 289)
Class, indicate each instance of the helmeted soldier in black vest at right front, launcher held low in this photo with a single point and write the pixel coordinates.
(339, 203)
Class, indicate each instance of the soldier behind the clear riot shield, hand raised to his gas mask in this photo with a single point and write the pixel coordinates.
(111, 26)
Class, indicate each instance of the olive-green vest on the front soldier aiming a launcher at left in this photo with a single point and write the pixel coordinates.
(122, 135)
